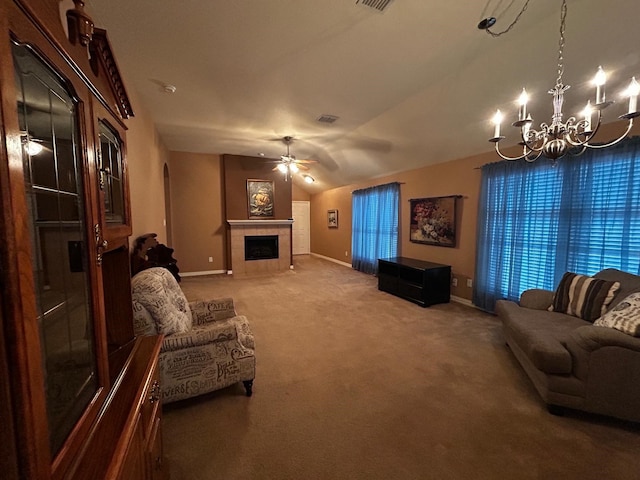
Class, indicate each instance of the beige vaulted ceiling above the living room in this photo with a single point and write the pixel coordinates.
(411, 86)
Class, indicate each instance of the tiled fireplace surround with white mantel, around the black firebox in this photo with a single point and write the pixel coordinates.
(242, 228)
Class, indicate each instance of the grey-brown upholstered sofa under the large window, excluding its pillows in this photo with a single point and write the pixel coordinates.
(572, 362)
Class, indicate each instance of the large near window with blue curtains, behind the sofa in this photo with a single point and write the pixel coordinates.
(539, 220)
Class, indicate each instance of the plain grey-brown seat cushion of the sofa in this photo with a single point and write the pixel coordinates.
(540, 335)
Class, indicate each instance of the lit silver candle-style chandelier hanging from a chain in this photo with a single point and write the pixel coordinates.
(559, 138)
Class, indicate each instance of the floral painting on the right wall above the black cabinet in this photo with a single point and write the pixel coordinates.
(433, 221)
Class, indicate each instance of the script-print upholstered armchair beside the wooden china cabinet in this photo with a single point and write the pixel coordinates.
(206, 346)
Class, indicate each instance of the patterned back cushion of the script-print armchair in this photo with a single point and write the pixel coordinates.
(158, 292)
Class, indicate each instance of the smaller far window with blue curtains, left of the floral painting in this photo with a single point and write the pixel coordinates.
(375, 226)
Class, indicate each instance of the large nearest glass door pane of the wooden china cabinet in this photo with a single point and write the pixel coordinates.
(48, 117)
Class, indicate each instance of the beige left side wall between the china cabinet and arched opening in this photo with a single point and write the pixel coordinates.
(146, 157)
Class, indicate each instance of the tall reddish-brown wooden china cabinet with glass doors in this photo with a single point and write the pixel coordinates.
(78, 395)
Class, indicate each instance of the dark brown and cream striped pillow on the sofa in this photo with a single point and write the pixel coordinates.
(582, 296)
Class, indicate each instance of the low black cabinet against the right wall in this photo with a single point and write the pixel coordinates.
(421, 282)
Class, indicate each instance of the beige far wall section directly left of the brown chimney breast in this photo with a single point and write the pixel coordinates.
(197, 212)
